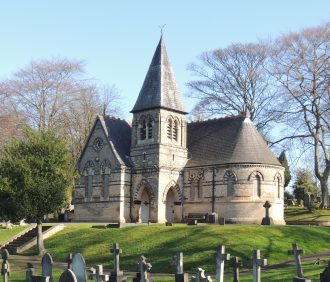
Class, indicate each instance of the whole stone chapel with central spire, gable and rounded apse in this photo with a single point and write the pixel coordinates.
(160, 168)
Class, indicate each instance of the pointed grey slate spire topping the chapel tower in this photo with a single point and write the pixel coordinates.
(159, 89)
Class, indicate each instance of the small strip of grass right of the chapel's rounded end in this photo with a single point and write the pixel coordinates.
(302, 214)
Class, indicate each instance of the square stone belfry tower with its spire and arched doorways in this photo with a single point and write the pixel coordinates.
(158, 149)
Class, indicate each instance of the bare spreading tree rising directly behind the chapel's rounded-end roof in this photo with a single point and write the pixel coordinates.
(233, 79)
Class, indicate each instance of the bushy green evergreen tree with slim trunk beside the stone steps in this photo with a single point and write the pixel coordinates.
(35, 177)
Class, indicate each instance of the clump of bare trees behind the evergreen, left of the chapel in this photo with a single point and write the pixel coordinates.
(54, 95)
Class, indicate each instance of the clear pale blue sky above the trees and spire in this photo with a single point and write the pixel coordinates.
(117, 38)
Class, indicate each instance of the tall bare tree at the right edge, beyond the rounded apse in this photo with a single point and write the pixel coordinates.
(301, 65)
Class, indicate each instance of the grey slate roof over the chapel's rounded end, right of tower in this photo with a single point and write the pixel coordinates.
(231, 140)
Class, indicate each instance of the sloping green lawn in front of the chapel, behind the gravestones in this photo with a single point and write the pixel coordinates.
(198, 244)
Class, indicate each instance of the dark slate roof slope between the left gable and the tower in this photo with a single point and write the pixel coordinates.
(119, 134)
